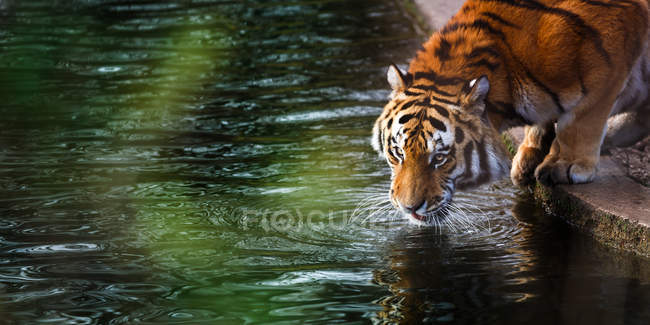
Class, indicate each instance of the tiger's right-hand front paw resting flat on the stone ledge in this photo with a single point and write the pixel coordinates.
(560, 171)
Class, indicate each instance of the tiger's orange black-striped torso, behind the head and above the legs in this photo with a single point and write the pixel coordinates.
(542, 57)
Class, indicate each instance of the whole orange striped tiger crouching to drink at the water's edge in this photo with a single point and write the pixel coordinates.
(560, 68)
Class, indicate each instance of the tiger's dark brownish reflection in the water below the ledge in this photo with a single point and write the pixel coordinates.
(537, 271)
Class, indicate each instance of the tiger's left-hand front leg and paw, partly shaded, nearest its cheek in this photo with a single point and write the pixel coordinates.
(531, 153)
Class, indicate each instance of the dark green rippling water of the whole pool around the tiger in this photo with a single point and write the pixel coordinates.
(200, 161)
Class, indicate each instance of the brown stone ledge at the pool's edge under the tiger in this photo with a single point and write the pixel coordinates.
(613, 209)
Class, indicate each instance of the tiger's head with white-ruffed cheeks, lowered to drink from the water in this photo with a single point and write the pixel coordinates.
(436, 141)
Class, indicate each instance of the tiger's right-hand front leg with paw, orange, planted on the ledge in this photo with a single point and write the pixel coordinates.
(575, 152)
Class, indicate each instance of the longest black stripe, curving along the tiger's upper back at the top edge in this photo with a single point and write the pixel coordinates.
(573, 19)
